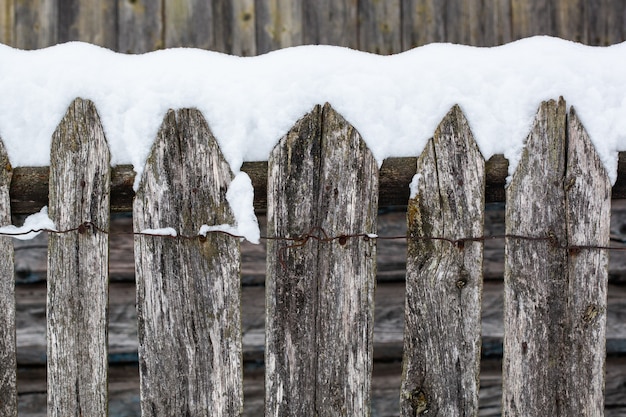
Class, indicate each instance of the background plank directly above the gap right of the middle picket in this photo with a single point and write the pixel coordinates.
(380, 26)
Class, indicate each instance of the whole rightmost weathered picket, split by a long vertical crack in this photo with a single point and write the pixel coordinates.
(555, 294)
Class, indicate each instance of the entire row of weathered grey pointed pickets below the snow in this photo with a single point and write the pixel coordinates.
(322, 202)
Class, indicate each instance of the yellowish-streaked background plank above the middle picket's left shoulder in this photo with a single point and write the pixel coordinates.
(278, 24)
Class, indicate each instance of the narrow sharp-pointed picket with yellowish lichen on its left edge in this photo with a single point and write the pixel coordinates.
(444, 281)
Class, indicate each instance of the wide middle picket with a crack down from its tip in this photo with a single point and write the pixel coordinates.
(319, 295)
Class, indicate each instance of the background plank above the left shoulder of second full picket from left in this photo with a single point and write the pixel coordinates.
(139, 26)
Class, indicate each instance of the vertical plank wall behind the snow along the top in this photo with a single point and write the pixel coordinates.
(251, 27)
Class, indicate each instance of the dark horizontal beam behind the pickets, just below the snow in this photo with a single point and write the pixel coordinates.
(29, 186)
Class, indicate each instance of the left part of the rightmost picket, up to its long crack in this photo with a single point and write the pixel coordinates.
(536, 272)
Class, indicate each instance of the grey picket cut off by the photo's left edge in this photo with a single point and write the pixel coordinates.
(8, 382)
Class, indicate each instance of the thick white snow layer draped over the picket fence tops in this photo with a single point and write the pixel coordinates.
(396, 102)
